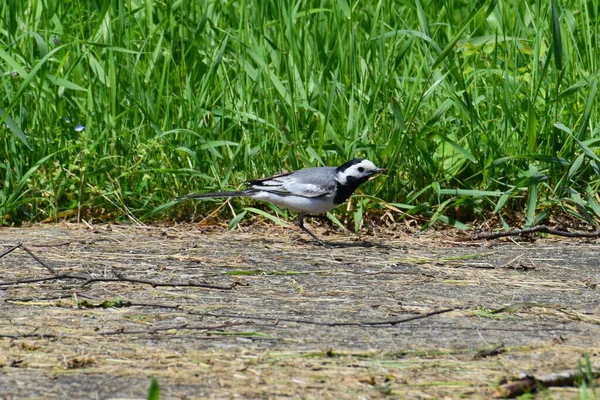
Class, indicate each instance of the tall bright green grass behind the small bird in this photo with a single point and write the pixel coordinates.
(488, 107)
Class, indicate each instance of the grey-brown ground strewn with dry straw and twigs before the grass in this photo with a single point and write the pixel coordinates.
(286, 318)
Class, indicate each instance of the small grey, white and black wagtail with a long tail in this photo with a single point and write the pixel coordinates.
(311, 190)
